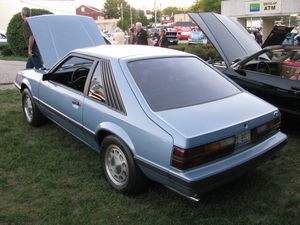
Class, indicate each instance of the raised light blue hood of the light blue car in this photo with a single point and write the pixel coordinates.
(57, 35)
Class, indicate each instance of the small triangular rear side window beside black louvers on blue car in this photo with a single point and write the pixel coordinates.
(96, 89)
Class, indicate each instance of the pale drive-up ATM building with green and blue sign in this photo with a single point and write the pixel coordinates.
(264, 10)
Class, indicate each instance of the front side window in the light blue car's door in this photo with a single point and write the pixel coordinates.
(73, 72)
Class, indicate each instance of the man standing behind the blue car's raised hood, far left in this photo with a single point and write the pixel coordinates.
(34, 58)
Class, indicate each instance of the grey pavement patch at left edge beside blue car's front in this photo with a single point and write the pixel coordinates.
(8, 72)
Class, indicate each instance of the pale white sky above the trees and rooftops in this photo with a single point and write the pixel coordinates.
(10, 7)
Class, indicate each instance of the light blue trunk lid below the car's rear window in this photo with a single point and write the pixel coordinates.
(201, 124)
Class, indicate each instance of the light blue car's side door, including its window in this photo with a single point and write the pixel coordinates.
(62, 98)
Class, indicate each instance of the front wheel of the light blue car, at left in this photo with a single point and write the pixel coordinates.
(32, 114)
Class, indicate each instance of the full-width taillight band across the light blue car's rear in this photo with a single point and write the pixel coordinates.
(188, 158)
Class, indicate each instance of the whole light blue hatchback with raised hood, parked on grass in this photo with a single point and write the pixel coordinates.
(152, 113)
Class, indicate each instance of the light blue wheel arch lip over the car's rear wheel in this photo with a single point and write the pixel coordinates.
(118, 131)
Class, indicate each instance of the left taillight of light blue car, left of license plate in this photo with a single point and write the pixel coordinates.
(187, 158)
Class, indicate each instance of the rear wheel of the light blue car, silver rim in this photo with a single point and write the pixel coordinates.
(119, 167)
